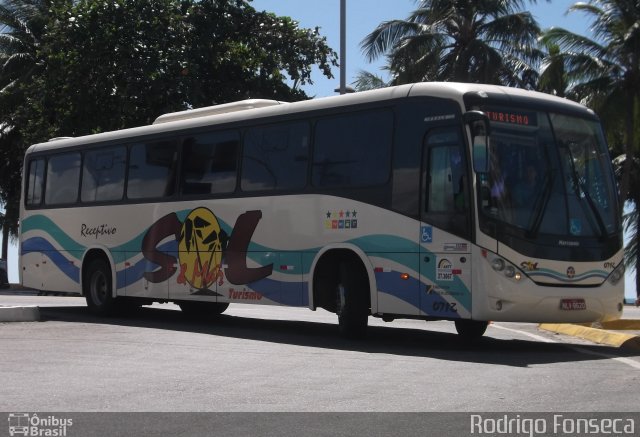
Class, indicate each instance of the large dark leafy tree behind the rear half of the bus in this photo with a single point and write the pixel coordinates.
(117, 64)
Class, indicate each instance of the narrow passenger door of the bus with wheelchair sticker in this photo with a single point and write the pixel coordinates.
(445, 249)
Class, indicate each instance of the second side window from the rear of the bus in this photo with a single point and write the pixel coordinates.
(63, 179)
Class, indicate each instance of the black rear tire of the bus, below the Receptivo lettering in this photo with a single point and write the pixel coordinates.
(98, 288)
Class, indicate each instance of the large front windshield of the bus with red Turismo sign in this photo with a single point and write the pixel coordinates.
(549, 174)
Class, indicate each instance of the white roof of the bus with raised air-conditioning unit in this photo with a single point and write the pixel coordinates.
(243, 110)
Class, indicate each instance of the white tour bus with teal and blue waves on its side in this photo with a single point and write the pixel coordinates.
(435, 201)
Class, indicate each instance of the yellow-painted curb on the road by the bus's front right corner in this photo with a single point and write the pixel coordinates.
(600, 336)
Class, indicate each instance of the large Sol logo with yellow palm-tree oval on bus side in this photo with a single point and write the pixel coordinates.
(202, 245)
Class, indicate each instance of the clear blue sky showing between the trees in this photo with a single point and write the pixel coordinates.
(363, 16)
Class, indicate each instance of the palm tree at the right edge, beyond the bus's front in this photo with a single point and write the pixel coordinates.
(604, 73)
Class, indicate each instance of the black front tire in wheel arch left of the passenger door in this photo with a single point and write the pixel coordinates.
(352, 300)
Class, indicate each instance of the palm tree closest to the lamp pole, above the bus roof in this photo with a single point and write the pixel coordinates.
(490, 41)
